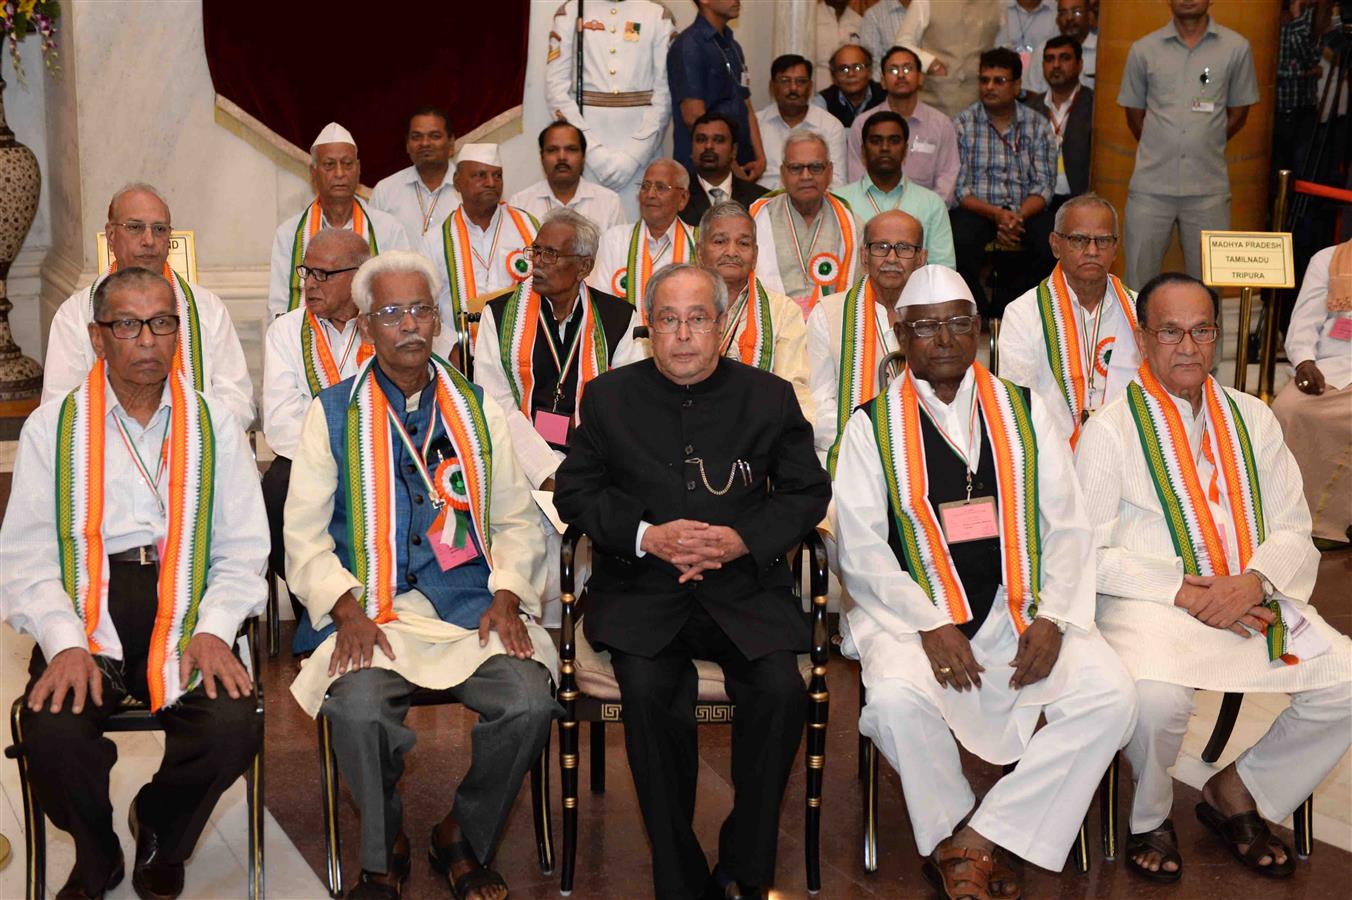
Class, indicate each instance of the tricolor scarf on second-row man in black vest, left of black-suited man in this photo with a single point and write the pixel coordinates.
(517, 336)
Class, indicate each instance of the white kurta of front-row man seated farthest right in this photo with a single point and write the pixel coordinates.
(1140, 572)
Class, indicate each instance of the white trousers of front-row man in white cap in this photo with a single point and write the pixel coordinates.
(1035, 811)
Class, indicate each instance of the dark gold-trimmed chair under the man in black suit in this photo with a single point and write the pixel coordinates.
(598, 702)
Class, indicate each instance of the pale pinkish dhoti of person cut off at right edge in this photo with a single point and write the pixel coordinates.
(1319, 433)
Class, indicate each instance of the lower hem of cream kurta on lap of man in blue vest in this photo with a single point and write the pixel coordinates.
(429, 653)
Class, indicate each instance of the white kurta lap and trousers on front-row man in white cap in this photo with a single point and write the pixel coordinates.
(1035, 811)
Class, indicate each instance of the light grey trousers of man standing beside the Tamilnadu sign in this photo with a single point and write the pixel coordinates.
(1150, 226)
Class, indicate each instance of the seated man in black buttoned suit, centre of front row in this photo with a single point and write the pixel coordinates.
(694, 475)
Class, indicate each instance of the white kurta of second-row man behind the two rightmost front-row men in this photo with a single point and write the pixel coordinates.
(1023, 352)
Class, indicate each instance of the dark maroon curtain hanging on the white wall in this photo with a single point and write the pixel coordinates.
(298, 67)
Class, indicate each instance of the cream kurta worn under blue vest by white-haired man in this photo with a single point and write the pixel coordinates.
(429, 653)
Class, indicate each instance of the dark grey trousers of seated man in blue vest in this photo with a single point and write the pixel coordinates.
(367, 710)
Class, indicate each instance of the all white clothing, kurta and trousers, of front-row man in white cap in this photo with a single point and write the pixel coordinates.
(1038, 810)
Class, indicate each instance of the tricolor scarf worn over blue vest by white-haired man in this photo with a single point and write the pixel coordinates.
(368, 484)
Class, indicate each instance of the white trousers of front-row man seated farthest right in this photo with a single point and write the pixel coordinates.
(1281, 771)
